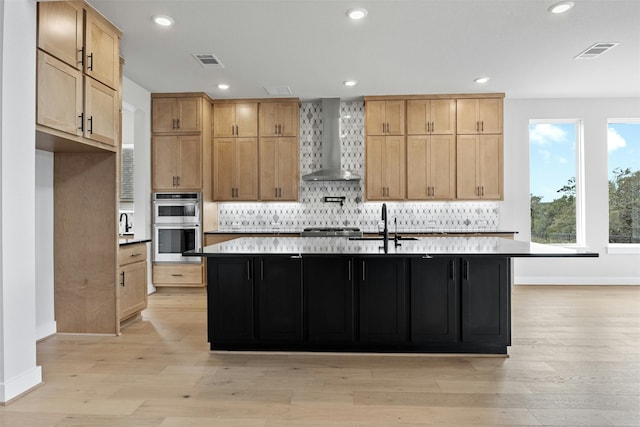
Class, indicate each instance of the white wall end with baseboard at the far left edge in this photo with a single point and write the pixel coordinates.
(18, 370)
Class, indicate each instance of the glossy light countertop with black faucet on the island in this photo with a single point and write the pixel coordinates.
(420, 247)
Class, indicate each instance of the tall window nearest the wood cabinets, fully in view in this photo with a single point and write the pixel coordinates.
(555, 150)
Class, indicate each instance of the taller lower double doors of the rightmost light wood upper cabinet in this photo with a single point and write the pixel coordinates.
(480, 167)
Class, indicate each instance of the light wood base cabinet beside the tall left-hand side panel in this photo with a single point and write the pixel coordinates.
(132, 261)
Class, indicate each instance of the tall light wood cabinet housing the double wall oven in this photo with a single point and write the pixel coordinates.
(181, 161)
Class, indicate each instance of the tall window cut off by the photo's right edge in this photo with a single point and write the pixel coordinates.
(623, 146)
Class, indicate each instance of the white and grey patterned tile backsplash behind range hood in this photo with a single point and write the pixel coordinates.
(312, 211)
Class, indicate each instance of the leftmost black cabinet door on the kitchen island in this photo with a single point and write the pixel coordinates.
(230, 299)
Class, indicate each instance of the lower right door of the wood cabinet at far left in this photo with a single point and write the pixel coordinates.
(100, 112)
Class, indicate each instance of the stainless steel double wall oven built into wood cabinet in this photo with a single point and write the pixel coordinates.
(176, 226)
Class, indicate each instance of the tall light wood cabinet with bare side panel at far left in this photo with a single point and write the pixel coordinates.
(78, 116)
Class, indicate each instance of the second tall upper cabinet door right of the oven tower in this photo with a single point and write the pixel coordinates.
(246, 168)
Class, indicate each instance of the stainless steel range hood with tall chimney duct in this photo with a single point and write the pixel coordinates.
(332, 170)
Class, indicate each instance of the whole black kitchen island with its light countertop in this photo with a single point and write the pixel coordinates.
(439, 294)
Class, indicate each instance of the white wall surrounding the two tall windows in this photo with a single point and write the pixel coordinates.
(514, 212)
